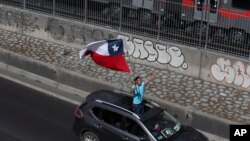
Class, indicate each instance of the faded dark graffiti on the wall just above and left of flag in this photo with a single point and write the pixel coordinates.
(74, 33)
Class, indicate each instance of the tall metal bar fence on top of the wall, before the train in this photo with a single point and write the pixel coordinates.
(206, 24)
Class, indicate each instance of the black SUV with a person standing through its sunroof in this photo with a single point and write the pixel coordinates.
(107, 115)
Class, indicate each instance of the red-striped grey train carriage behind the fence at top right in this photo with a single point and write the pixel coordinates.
(226, 18)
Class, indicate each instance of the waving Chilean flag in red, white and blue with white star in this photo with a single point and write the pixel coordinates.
(107, 53)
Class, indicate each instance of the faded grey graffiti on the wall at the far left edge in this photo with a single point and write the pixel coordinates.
(23, 21)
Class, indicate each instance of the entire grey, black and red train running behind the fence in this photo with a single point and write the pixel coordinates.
(228, 19)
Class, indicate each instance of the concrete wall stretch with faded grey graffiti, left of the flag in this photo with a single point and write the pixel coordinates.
(52, 29)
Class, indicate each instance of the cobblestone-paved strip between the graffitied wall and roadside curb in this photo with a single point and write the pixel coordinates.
(208, 97)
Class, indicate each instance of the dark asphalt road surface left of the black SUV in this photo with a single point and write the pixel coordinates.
(29, 115)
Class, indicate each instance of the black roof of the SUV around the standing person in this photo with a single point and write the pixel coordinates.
(123, 100)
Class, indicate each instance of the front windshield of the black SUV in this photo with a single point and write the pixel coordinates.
(162, 126)
